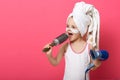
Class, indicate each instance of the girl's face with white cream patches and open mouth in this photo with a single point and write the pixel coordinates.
(72, 30)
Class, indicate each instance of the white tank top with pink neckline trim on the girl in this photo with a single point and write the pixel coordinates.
(76, 64)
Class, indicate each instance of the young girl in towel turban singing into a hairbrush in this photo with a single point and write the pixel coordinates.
(83, 32)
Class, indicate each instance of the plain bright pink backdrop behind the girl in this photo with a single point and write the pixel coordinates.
(27, 25)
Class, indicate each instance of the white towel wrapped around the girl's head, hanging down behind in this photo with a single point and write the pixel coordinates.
(86, 17)
